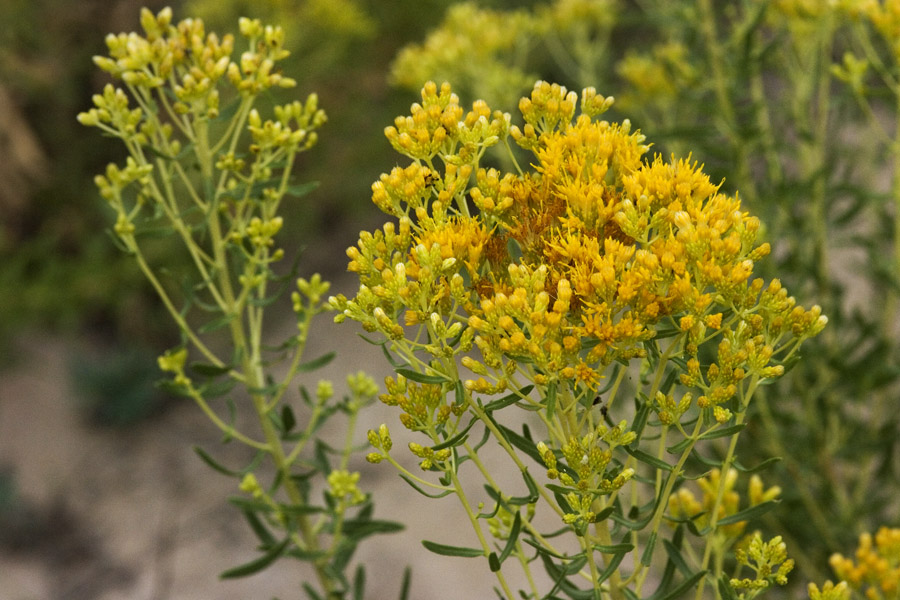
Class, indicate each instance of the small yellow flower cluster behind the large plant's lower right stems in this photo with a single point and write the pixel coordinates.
(684, 505)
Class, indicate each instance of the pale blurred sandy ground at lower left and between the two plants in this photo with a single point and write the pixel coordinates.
(132, 513)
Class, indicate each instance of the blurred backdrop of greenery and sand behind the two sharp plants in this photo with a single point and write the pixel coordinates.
(100, 493)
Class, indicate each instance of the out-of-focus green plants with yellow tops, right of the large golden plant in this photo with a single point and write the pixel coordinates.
(795, 104)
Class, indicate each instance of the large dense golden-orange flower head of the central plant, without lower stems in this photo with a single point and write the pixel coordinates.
(556, 273)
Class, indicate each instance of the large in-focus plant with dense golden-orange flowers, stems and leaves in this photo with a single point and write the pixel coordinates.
(610, 296)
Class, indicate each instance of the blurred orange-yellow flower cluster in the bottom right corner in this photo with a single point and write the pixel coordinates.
(876, 569)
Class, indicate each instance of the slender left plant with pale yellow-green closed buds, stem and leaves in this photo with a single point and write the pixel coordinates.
(207, 170)
